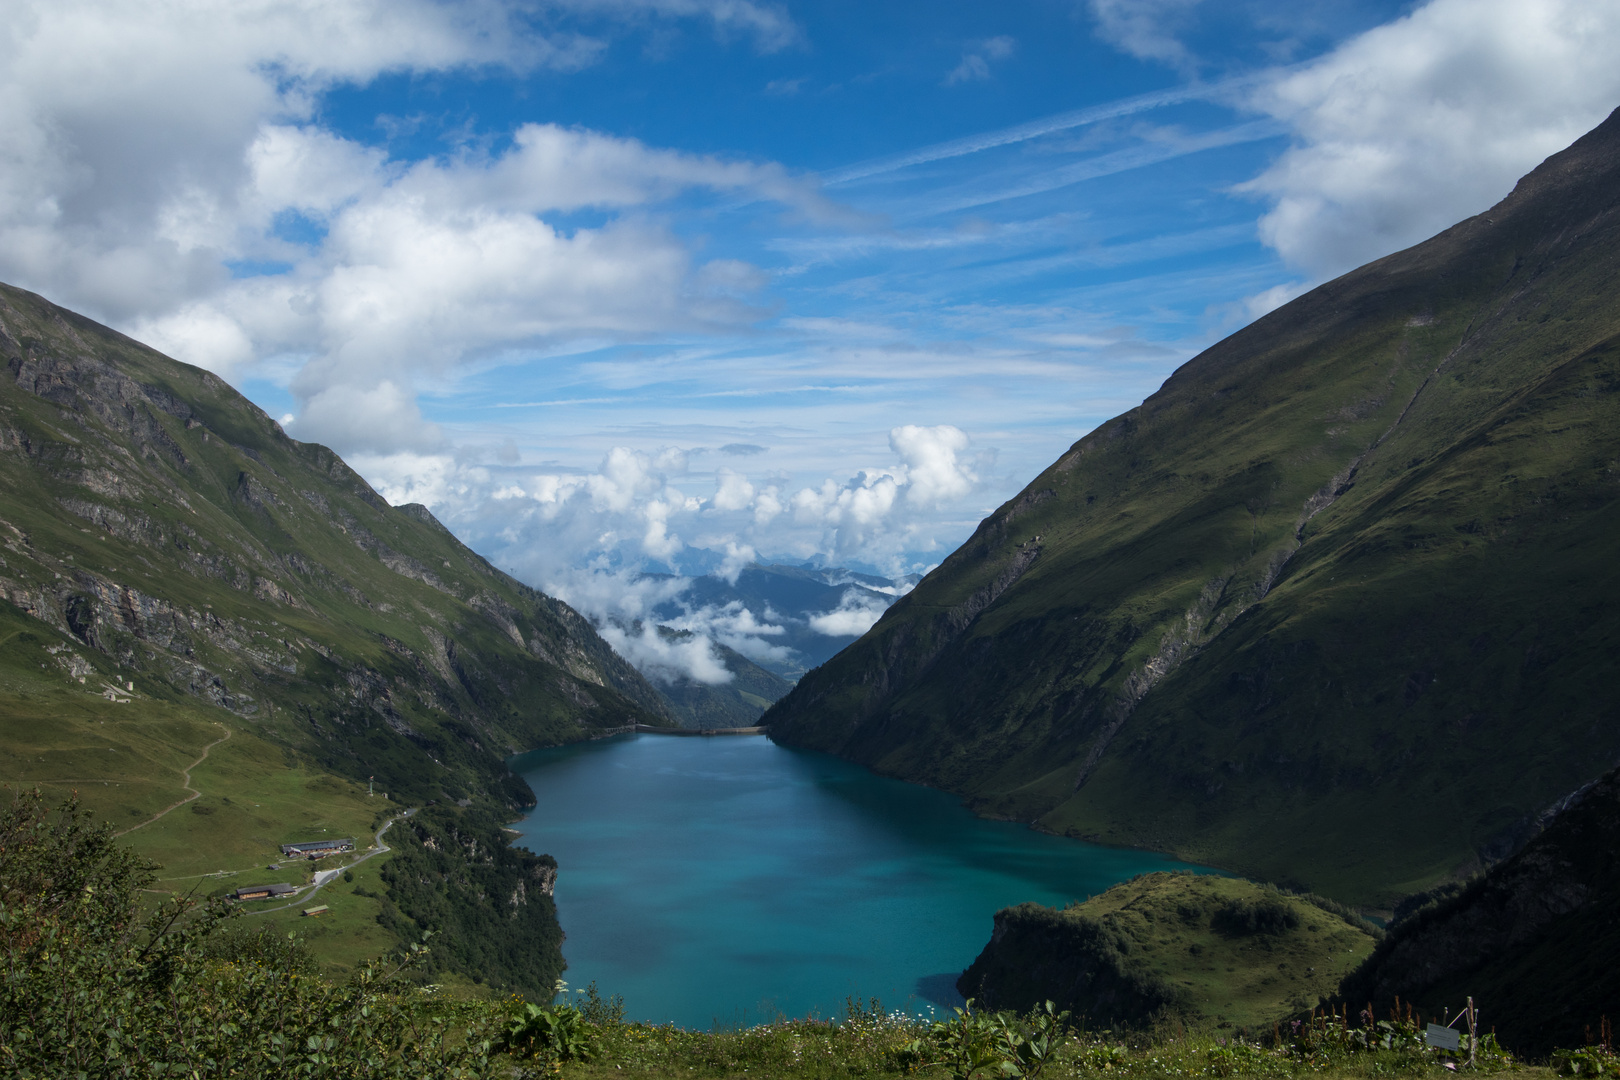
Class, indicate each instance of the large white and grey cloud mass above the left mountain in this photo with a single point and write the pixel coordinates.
(164, 168)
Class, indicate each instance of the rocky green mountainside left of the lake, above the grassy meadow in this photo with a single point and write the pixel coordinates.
(163, 521)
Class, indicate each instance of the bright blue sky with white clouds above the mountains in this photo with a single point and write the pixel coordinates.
(688, 283)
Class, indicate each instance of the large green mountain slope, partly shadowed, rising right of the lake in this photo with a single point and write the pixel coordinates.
(1337, 606)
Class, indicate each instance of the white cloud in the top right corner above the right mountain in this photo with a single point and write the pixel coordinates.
(1430, 119)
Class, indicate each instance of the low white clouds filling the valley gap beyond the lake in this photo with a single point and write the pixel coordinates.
(625, 542)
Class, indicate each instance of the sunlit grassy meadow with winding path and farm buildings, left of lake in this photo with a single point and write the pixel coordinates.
(129, 760)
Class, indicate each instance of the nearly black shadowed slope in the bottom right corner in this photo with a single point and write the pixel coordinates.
(1535, 942)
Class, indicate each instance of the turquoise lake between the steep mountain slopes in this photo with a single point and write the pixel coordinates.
(727, 880)
